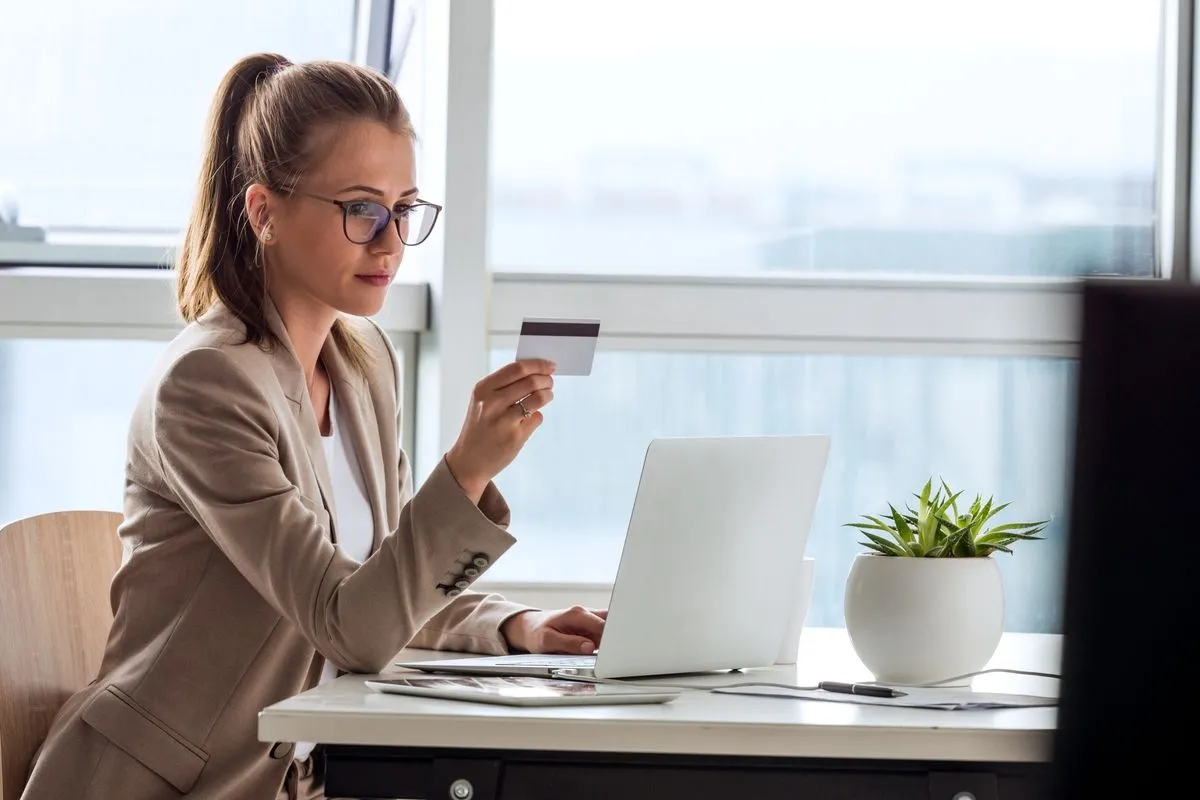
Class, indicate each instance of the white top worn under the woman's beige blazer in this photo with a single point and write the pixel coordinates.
(356, 524)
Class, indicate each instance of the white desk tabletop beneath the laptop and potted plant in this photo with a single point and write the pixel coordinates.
(346, 712)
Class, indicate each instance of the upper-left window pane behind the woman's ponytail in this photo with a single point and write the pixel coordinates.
(106, 105)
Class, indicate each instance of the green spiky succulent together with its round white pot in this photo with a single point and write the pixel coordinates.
(926, 603)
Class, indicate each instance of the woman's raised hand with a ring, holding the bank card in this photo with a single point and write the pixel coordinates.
(496, 426)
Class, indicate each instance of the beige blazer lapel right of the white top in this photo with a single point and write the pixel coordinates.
(363, 428)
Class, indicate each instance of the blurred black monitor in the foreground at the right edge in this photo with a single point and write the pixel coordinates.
(1130, 701)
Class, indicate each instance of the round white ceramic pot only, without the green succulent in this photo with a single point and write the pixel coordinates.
(916, 621)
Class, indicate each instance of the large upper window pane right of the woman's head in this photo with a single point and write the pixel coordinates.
(931, 136)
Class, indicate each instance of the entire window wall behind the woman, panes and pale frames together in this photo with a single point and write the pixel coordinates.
(856, 219)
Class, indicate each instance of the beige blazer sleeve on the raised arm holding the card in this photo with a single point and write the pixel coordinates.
(218, 441)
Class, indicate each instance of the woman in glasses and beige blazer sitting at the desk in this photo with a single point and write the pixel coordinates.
(272, 530)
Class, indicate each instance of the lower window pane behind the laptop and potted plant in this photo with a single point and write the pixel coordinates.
(988, 425)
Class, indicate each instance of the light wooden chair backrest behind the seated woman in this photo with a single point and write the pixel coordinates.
(56, 570)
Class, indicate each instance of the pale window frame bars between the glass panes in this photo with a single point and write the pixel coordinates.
(455, 309)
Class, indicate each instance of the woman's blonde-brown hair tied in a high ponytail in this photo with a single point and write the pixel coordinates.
(261, 130)
